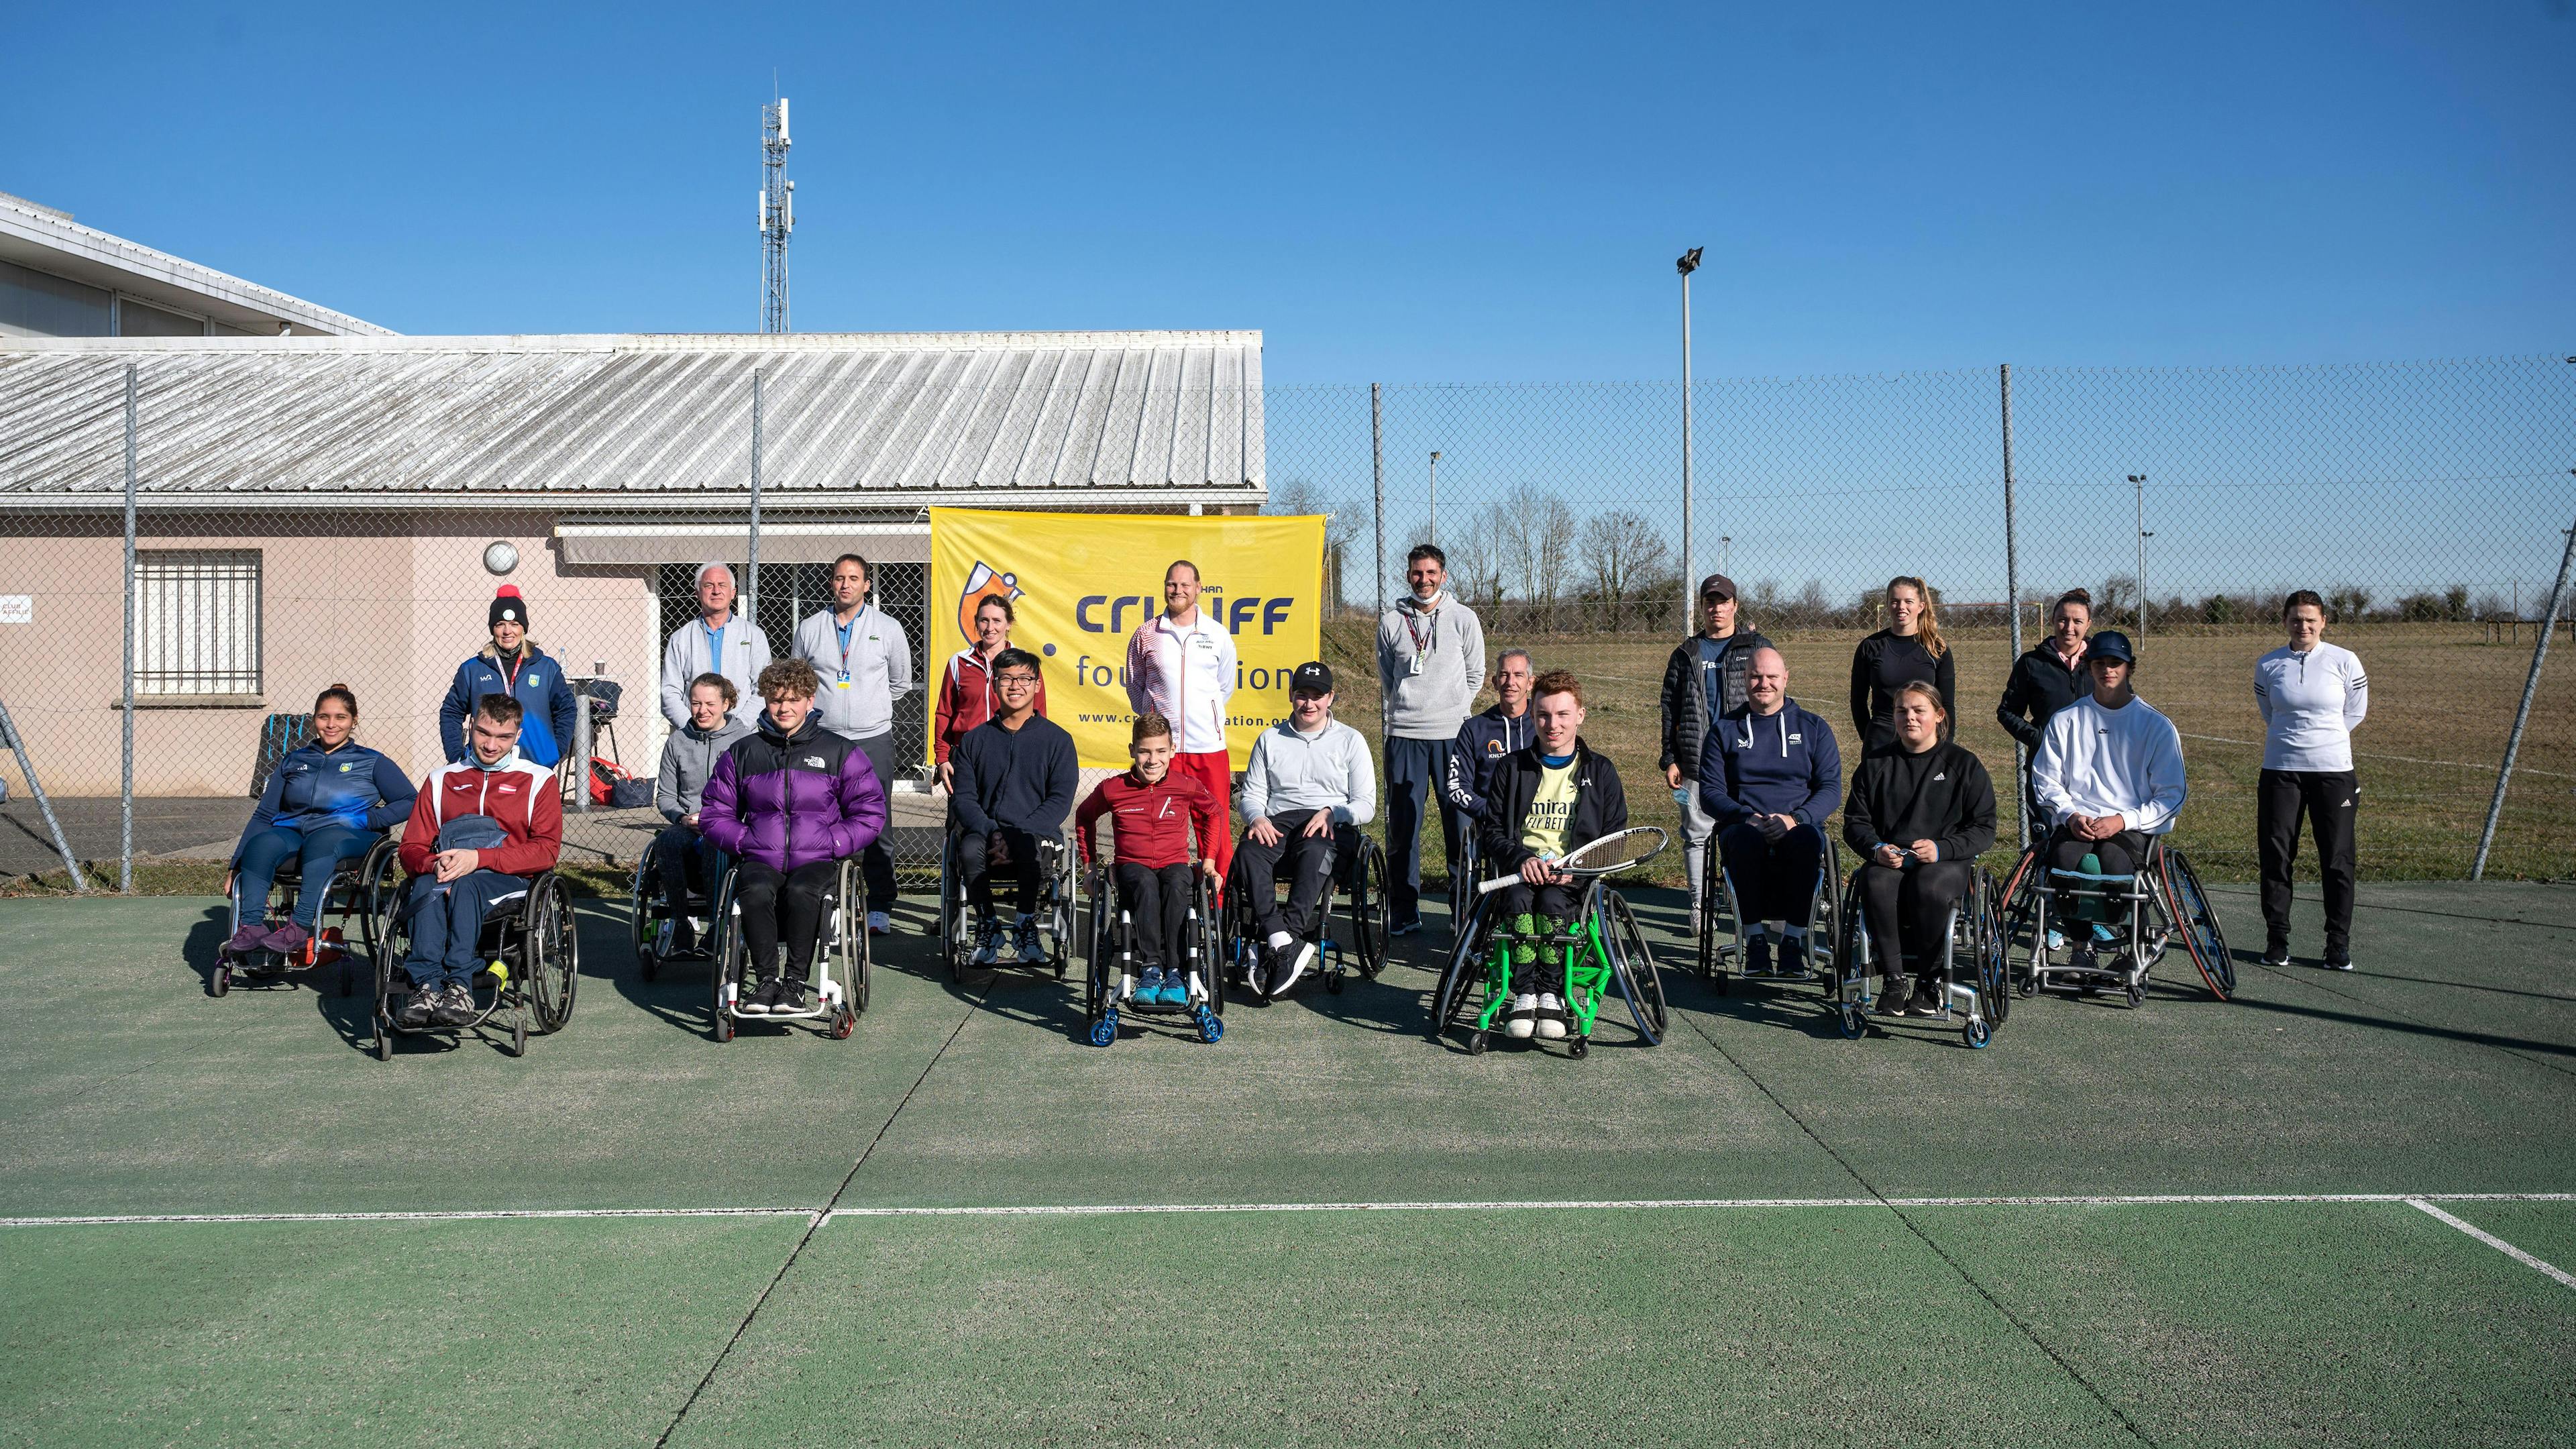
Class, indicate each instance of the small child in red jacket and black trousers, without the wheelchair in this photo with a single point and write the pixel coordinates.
(1155, 813)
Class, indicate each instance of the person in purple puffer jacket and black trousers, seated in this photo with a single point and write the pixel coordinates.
(790, 803)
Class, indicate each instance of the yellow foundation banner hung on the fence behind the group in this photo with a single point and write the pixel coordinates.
(1081, 584)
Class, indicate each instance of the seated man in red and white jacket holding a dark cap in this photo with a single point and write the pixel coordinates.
(478, 831)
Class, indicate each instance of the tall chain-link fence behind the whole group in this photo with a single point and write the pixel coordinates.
(2425, 501)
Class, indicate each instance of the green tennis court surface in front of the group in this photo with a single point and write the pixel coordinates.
(2338, 1211)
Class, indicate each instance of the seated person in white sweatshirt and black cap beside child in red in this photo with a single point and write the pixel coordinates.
(1307, 788)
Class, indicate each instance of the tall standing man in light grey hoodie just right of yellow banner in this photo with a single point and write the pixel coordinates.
(1431, 666)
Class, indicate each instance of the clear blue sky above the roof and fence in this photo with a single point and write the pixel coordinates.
(1390, 192)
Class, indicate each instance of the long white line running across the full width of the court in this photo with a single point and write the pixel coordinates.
(1153, 1208)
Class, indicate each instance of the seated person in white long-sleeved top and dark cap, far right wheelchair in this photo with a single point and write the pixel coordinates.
(2108, 772)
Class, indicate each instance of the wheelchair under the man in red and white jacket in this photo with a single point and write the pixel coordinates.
(532, 953)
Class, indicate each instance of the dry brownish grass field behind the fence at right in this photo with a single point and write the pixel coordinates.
(2441, 708)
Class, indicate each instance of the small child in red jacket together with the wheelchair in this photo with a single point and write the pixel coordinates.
(1158, 883)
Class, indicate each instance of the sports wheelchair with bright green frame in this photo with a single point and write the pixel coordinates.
(1601, 950)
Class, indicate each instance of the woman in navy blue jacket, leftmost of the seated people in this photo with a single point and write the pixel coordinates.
(326, 803)
